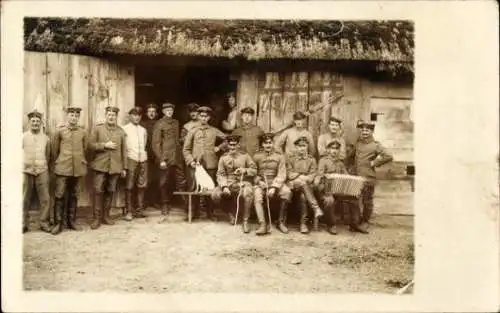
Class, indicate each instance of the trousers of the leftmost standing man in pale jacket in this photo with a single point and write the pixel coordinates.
(40, 184)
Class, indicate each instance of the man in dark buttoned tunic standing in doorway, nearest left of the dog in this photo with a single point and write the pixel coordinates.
(167, 150)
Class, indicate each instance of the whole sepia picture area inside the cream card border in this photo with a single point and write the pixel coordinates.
(218, 155)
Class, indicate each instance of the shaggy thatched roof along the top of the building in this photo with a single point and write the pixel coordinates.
(388, 42)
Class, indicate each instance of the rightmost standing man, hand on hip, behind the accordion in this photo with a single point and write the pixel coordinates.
(369, 154)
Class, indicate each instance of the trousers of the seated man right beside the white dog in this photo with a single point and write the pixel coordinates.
(246, 194)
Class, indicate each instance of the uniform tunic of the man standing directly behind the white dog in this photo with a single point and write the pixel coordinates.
(200, 143)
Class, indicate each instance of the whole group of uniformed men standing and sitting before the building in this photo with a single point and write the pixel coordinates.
(158, 155)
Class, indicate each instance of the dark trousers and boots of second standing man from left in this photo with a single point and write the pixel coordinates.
(71, 186)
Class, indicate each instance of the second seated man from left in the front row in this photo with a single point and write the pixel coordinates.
(270, 182)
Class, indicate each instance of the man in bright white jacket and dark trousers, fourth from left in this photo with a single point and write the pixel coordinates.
(137, 164)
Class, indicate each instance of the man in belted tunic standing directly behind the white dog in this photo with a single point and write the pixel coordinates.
(199, 147)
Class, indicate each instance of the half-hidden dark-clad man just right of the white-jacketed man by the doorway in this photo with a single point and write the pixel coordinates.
(151, 193)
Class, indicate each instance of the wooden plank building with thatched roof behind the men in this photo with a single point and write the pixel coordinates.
(275, 67)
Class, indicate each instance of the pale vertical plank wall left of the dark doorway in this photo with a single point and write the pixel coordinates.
(53, 81)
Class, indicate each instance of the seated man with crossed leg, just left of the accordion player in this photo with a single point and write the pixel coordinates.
(301, 170)
